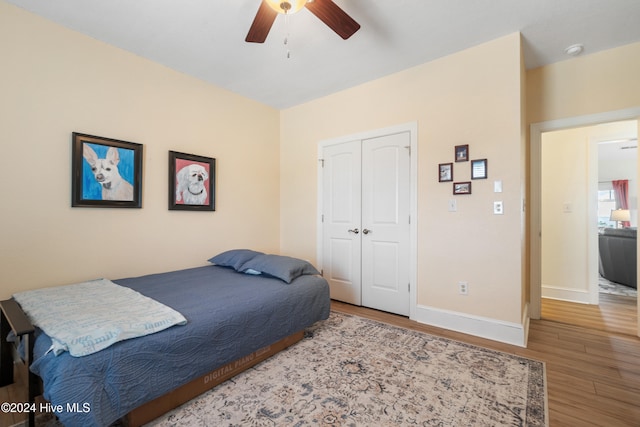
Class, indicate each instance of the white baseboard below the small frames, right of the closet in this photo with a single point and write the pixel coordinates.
(484, 327)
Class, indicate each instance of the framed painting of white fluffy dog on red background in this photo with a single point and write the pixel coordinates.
(191, 182)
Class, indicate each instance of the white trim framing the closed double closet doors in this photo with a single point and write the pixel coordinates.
(412, 128)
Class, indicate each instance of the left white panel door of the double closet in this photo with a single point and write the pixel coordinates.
(341, 202)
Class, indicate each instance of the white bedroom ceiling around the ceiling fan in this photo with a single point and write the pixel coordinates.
(205, 38)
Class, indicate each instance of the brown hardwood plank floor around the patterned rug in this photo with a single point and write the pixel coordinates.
(593, 374)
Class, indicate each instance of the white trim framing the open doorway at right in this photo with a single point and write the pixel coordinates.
(535, 159)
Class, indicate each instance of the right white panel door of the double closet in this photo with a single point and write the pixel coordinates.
(385, 223)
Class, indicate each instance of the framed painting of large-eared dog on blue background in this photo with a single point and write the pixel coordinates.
(105, 172)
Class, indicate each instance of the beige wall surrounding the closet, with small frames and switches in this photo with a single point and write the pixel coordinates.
(472, 97)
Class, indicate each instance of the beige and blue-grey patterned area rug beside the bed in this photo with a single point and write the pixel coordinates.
(351, 371)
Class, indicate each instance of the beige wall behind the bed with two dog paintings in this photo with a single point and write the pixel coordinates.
(53, 82)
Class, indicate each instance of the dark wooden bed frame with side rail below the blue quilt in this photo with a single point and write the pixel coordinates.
(14, 319)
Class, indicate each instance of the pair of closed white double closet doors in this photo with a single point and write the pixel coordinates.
(366, 235)
